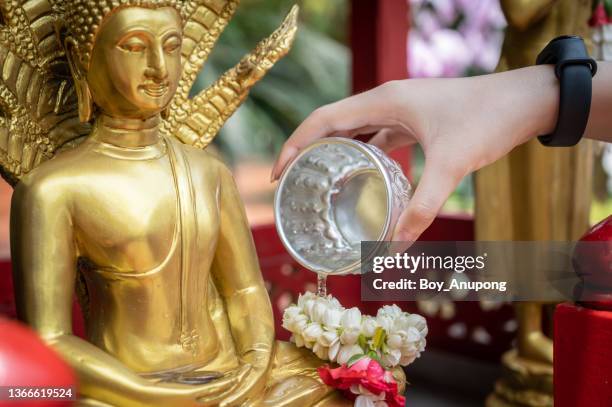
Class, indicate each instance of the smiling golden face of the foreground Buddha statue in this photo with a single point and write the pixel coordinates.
(136, 62)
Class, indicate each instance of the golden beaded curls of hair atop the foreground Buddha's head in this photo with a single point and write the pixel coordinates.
(83, 19)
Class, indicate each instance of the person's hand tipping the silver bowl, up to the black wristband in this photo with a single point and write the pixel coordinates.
(462, 125)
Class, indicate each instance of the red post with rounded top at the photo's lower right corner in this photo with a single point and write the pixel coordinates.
(583, 332)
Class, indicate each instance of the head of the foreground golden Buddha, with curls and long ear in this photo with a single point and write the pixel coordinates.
(124, 55)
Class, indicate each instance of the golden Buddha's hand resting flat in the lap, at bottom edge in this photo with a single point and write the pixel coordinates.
(209, 394)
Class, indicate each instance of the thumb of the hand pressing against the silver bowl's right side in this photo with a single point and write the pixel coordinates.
(438, 181)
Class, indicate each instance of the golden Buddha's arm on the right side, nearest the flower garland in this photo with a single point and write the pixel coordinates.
(239, 281)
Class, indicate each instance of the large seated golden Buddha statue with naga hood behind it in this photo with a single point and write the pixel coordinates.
(116, 199)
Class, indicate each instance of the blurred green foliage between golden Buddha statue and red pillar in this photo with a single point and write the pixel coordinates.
(315, 72)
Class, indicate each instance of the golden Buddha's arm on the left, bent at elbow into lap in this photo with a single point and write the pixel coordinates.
(44, 265)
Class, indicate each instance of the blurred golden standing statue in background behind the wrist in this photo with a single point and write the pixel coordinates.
(541, 194)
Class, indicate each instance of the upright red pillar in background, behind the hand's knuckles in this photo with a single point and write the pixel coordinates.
(379, 33)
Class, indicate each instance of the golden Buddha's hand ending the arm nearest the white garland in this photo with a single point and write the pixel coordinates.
(254, 382)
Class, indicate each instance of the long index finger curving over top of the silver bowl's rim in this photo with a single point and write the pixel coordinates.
(365, 109)
